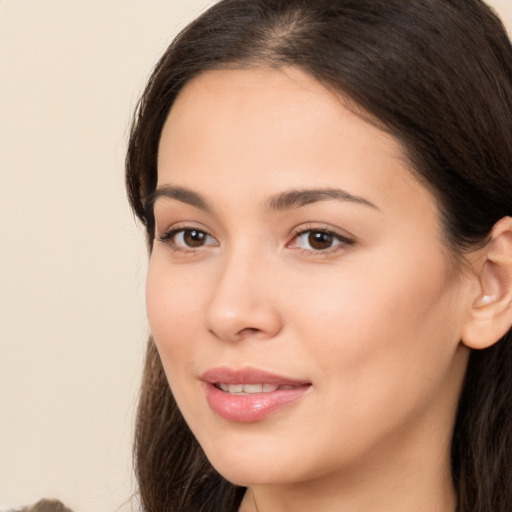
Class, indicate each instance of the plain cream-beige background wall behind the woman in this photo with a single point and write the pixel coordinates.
(72, 321)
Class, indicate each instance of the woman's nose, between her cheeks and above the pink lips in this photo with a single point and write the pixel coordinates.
(243, 302)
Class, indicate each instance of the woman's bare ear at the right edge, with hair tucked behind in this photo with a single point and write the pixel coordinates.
(490, 317)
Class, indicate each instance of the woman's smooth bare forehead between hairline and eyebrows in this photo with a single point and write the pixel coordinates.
(261, 130)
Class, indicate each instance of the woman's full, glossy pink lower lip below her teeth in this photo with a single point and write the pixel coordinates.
(251, 407)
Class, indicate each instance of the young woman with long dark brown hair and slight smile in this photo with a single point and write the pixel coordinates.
(327, 192)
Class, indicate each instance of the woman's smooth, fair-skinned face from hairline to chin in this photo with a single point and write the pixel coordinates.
(299, 291)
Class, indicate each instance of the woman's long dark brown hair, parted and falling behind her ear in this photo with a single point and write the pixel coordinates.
(436, 74)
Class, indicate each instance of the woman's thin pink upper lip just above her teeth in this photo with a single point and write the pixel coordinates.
(248, 375)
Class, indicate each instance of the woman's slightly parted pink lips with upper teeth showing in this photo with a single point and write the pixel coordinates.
(249, 395)
